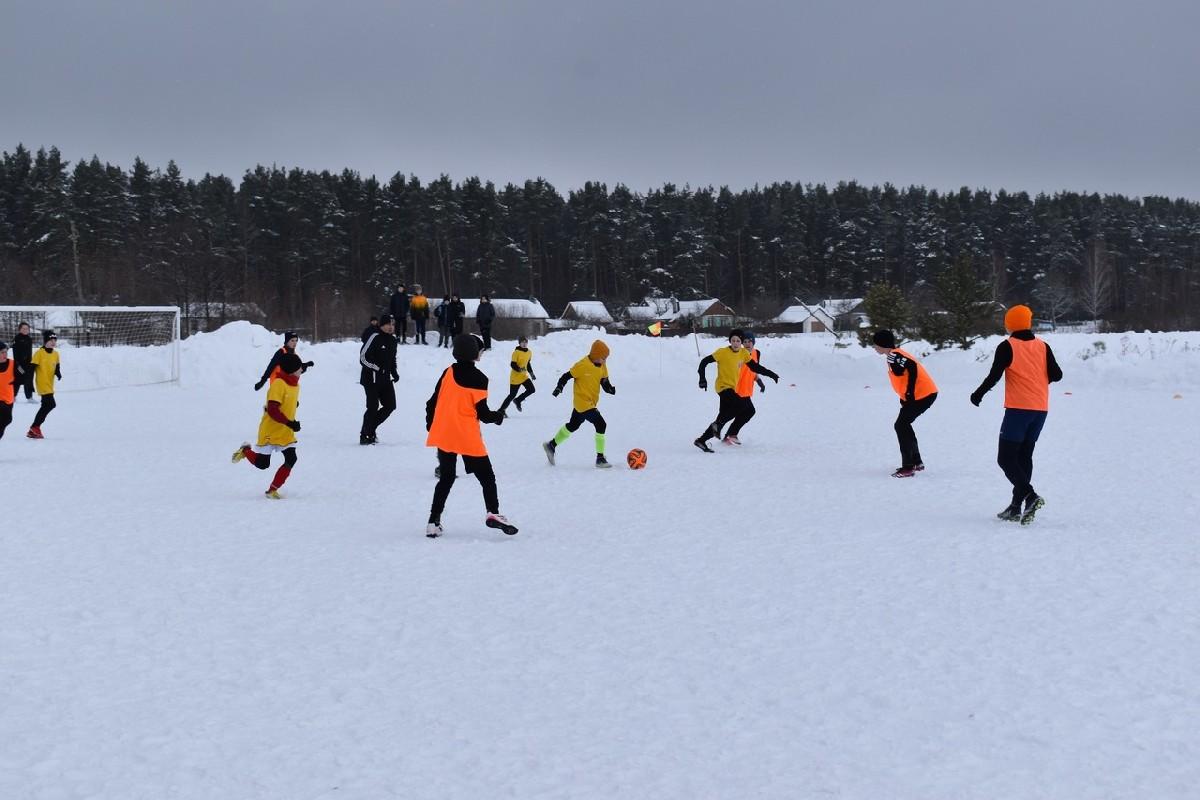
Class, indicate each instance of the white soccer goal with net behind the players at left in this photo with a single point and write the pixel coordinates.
(104, 347)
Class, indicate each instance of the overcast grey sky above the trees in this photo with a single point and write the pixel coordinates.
(1085, 95)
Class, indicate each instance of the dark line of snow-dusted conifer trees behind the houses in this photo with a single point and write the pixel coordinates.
(322, 250)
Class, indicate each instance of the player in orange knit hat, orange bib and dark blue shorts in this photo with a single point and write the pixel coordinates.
(1029, 368)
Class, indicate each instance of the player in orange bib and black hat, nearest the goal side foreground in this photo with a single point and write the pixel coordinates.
(453, 417)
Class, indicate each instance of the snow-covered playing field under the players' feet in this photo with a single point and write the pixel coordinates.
(781, 621)
